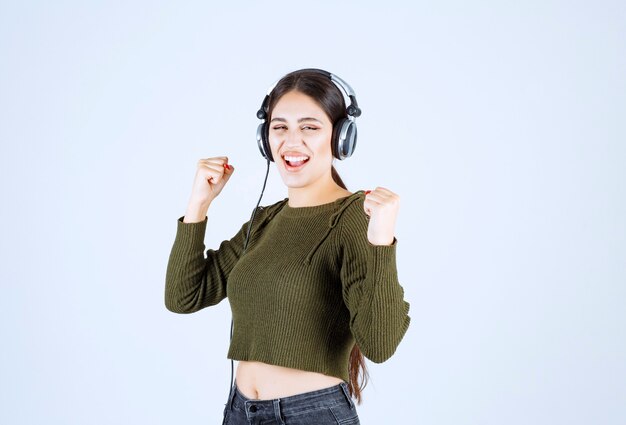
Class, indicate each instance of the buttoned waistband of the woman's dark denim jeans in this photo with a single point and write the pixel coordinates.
(326, 397)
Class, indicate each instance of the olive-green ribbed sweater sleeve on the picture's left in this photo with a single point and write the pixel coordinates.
(194, 281)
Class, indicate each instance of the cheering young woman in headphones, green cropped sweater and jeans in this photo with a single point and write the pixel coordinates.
(313, 286)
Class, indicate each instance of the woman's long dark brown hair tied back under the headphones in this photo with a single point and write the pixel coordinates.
(330, 99)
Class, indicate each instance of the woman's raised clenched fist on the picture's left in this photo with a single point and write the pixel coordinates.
(211, 176)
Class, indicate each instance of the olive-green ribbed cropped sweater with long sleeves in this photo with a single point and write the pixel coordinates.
(309, 285)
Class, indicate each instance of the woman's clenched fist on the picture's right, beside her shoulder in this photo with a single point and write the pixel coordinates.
(382, 207)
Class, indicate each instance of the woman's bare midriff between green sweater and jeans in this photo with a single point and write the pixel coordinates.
(262, 381)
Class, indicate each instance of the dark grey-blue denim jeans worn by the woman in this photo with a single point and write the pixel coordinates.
(331, 405)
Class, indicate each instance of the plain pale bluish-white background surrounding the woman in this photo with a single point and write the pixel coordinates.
(501, 125)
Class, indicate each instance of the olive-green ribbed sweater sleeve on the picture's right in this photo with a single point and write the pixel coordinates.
(378, 312)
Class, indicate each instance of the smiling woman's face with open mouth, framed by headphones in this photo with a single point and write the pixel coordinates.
(299, 135)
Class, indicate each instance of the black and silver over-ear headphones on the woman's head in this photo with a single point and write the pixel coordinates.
(344, 131)
